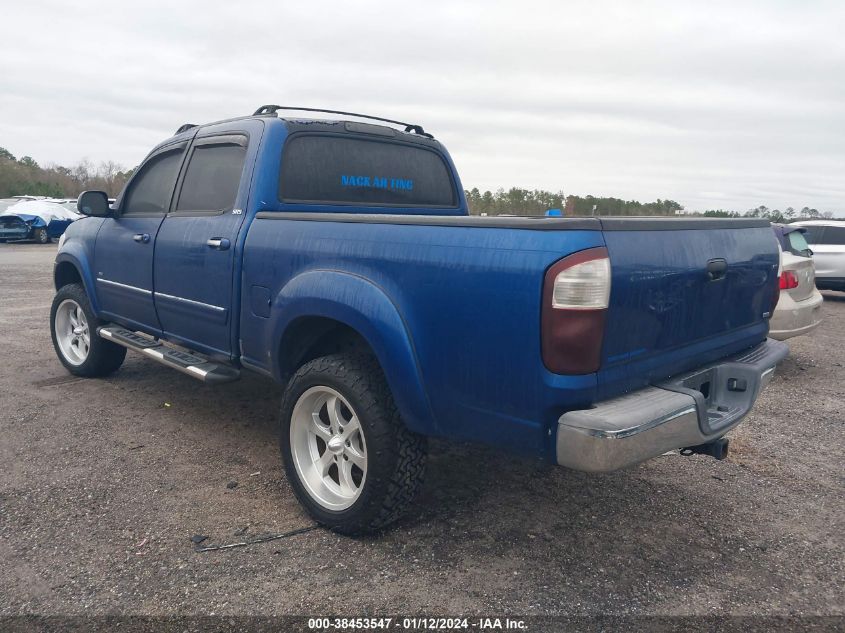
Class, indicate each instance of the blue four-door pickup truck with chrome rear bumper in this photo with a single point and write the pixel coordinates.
(338, 258)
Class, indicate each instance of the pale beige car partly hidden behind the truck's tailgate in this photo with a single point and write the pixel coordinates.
(798, 310)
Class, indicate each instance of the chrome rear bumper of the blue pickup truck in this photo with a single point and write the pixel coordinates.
(687, 410)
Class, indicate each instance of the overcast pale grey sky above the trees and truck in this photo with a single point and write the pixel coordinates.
(715, 105)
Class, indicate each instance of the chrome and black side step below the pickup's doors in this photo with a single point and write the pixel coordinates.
(190, 363)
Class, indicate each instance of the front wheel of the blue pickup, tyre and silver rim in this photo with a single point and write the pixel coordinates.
(73, 326)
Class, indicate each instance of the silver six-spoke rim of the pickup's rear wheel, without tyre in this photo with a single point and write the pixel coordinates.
(328, 448)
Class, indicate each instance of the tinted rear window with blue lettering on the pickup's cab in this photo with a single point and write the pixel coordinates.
(344, 170)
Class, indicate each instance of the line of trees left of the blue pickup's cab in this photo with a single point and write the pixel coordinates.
(24, 176)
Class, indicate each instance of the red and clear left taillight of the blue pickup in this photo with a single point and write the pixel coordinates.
(576, 293)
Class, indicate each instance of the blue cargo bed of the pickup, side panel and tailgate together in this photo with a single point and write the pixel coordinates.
(468, 291)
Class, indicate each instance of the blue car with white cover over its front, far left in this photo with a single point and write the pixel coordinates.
(38, 219)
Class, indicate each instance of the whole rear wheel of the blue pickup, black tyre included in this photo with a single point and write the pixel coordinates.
(349, 458)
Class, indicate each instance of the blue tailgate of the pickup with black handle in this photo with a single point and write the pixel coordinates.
(683, 292)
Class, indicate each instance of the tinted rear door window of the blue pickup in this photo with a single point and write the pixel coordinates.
(212, 178)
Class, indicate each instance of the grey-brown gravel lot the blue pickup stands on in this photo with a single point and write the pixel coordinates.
(104, 482)
